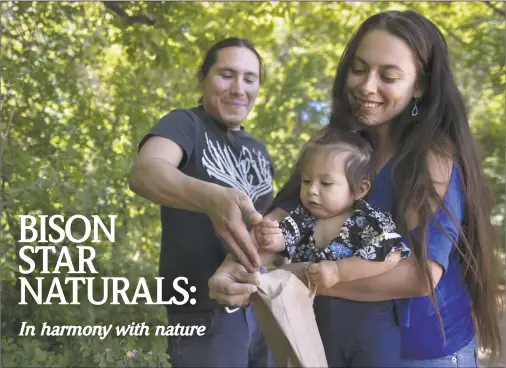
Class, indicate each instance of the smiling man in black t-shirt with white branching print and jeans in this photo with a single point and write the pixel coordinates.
(208, 174)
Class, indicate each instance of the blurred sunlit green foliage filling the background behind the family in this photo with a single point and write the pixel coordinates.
(83, 82)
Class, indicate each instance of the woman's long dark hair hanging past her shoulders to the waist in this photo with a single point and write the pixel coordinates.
(441, 127)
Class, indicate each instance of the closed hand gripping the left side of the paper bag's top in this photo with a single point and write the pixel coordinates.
(231, 284)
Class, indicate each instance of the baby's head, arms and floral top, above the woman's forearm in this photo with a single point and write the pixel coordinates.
(342, 236)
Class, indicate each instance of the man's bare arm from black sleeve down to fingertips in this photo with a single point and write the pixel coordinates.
(156, 177)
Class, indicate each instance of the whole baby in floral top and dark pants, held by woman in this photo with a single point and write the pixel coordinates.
(342, 238)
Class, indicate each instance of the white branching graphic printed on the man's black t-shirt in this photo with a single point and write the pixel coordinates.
(250, 172)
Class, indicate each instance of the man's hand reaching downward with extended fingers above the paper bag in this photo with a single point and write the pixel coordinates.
(228, 210)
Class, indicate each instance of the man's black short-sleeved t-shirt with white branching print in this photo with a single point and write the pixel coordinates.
(212, 153)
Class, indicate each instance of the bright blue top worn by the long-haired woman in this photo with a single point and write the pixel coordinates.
(421, 335)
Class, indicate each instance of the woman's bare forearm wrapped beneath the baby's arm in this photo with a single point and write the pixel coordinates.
(403, 281)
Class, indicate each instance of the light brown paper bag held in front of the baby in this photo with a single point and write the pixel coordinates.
(284, 308)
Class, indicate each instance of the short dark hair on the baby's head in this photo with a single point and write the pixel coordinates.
(360, 163)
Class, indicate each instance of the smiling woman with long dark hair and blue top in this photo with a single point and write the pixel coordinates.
(395, 79)
